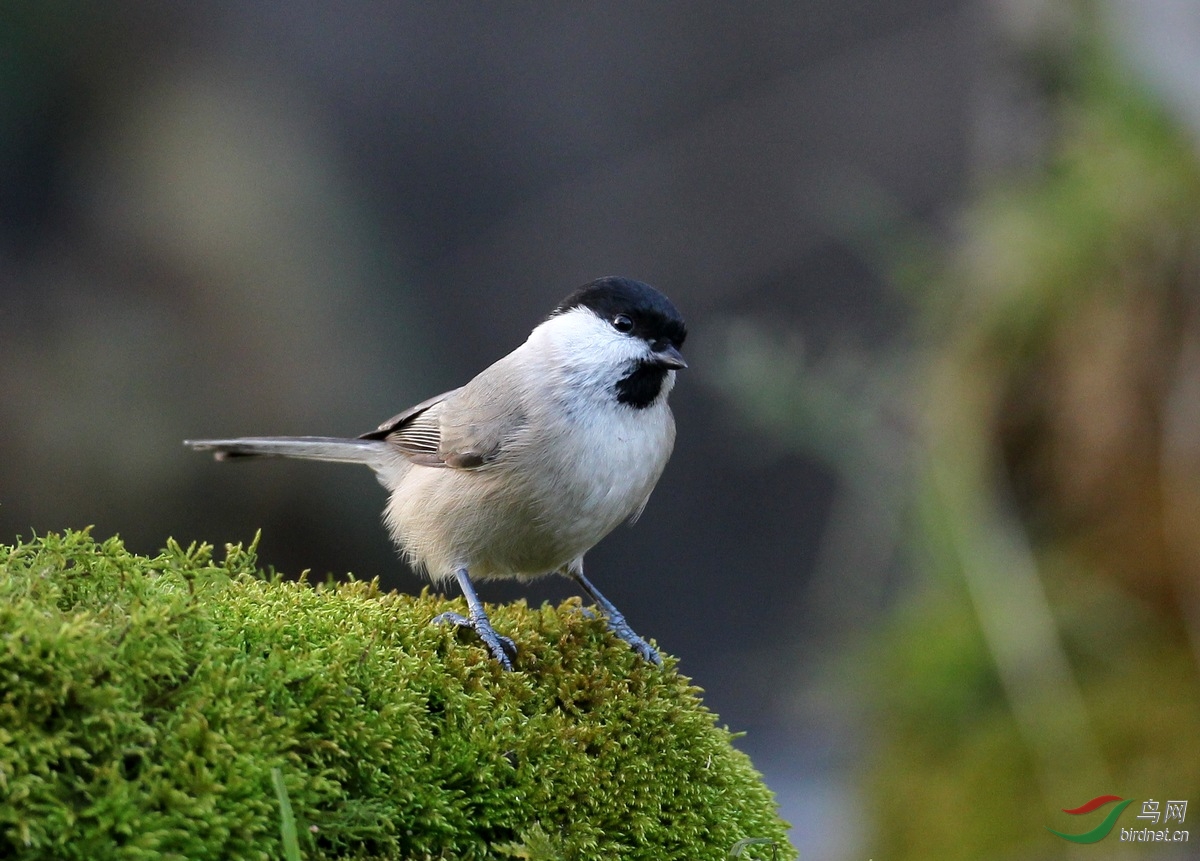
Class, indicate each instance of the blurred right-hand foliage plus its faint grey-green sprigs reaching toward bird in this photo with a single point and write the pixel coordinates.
(1030, 448)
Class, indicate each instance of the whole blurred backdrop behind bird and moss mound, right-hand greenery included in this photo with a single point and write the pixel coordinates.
(932, 534)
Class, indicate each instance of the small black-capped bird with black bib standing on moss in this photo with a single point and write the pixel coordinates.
(523, 471)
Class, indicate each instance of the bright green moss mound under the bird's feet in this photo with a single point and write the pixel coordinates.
(146, 702)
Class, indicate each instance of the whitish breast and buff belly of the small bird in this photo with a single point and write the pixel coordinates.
(543, 508)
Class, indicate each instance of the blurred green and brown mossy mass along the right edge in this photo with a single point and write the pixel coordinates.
(1051, 657)
